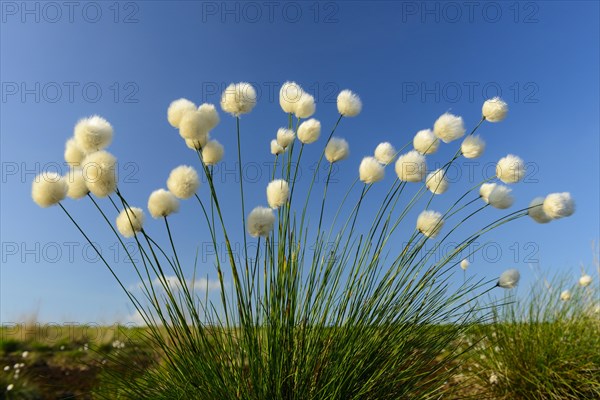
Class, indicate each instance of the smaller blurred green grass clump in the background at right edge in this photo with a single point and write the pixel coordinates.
(545, 345)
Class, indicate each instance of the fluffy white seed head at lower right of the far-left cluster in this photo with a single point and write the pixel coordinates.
(99, 170)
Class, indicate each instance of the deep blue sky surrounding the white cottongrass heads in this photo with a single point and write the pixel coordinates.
(409, 61)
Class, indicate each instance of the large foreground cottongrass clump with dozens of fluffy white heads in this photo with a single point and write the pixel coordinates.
(324, 306)
